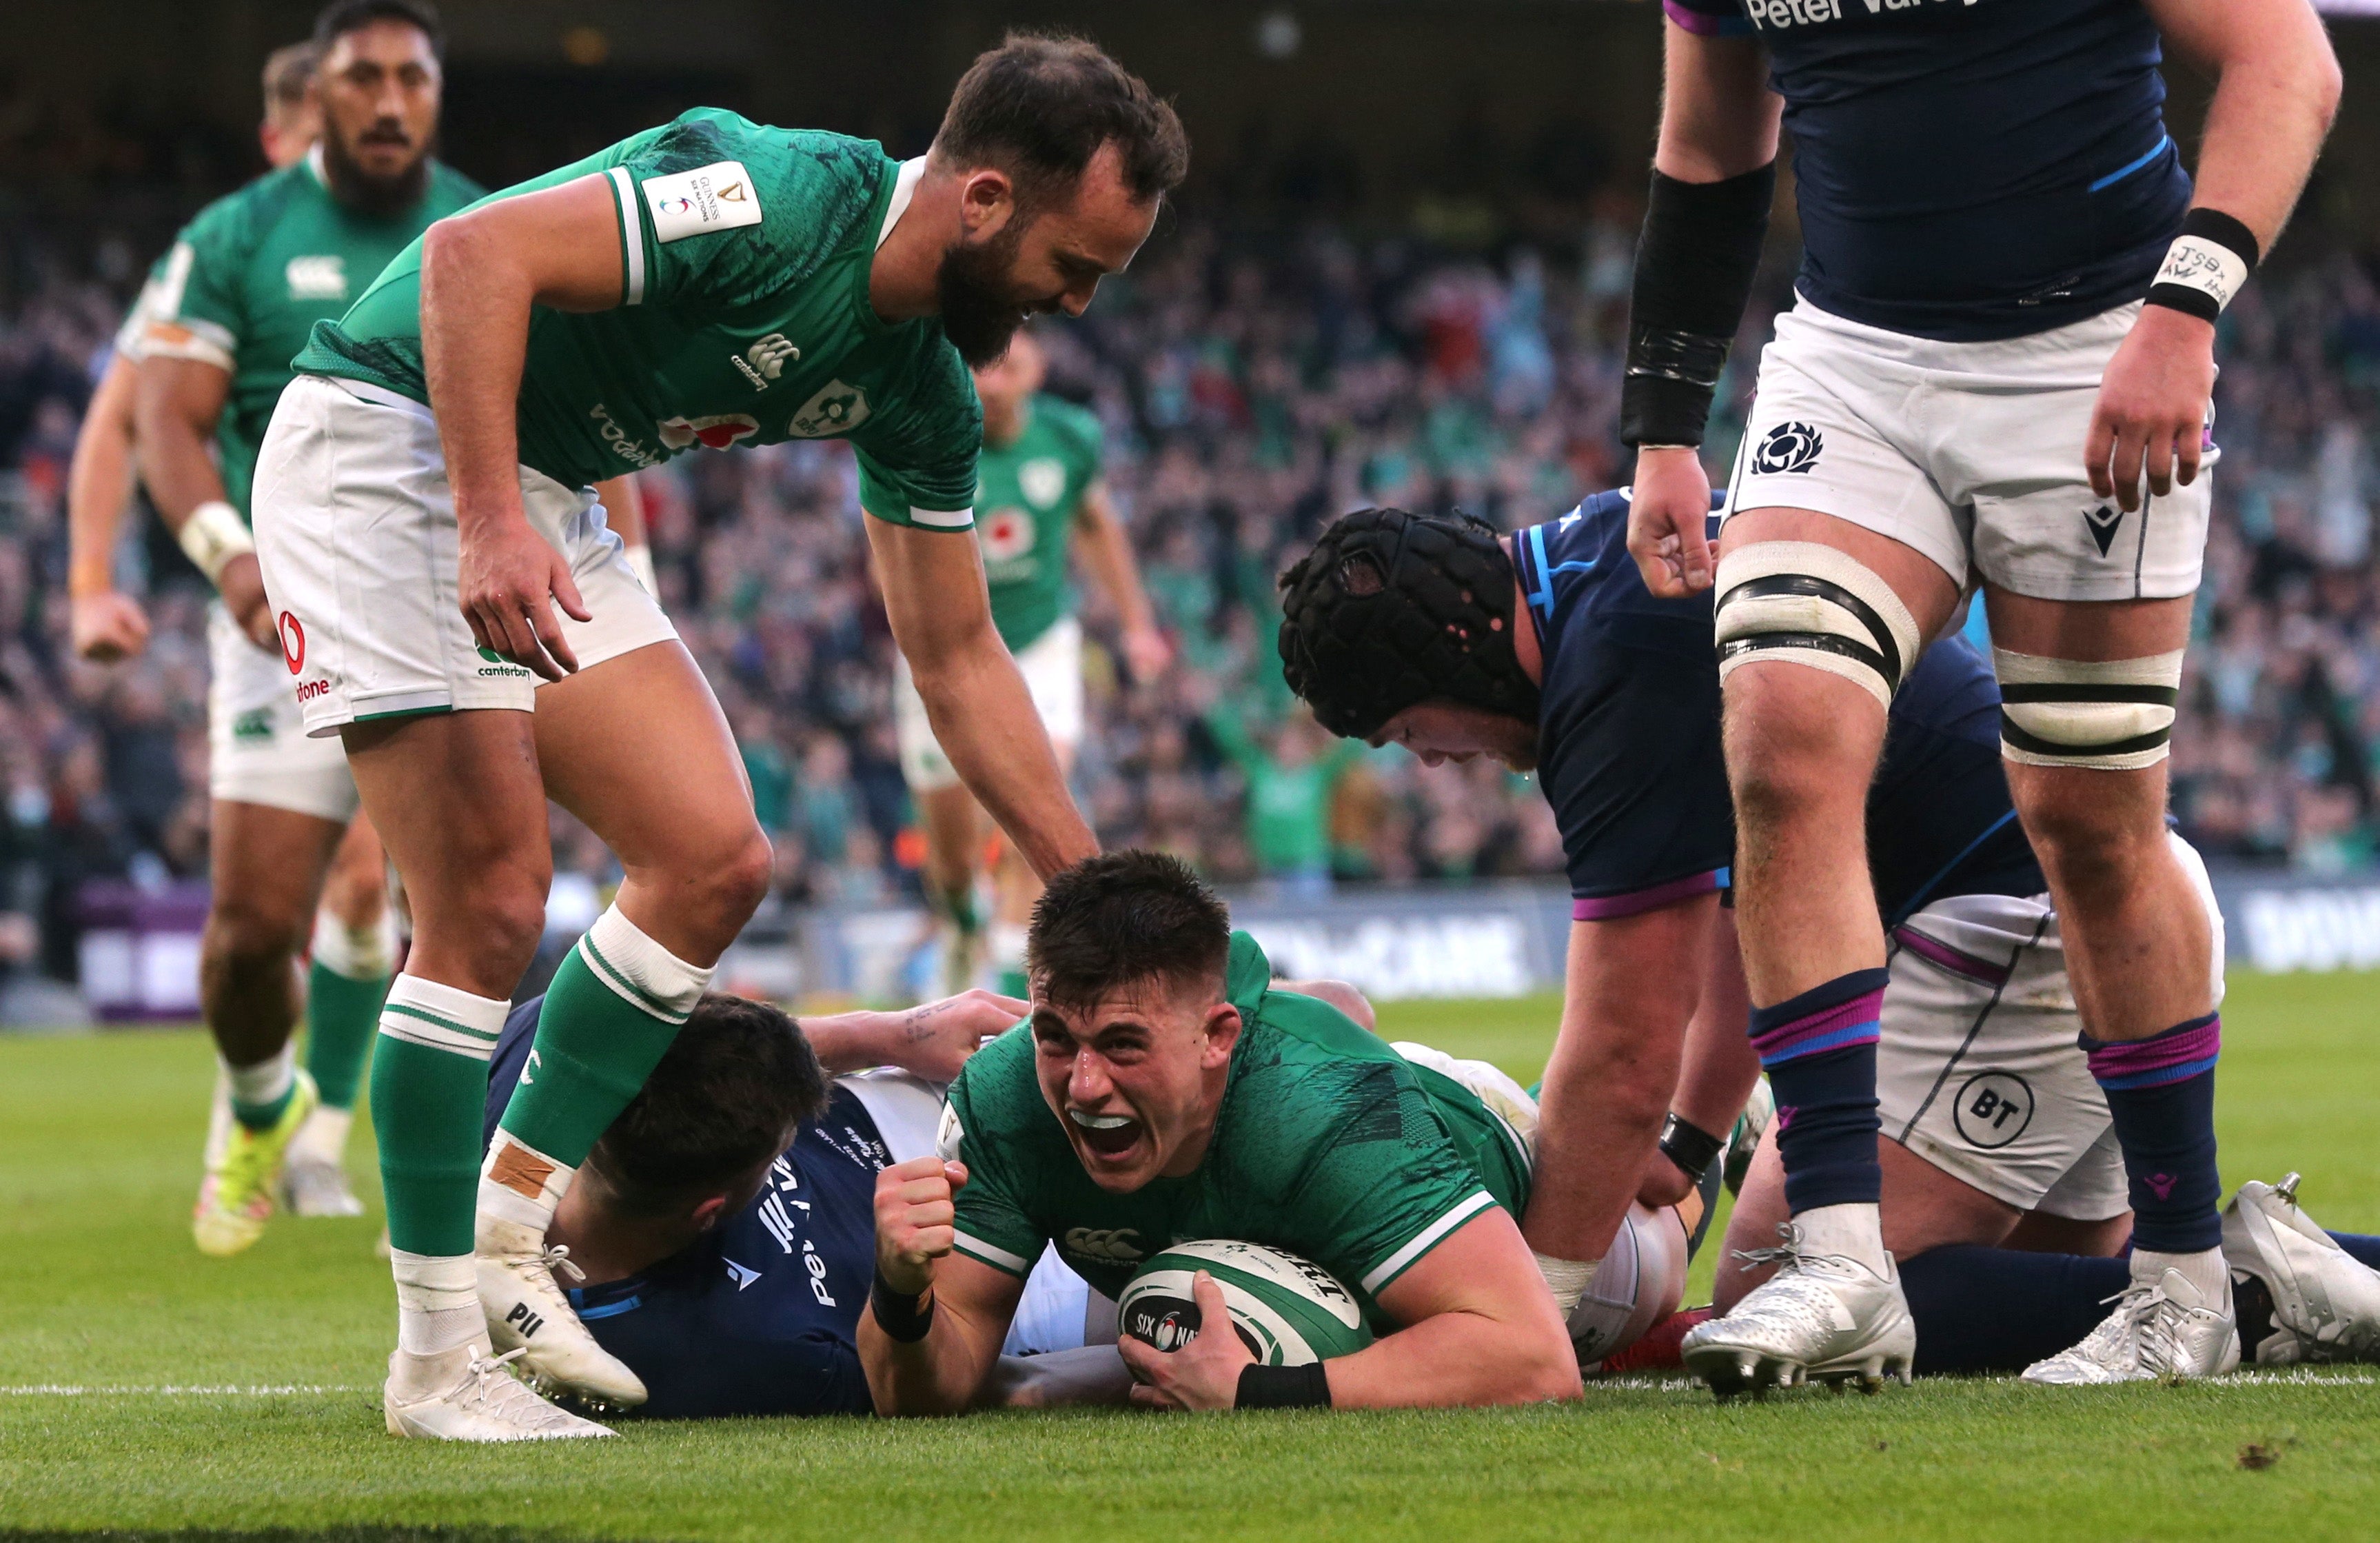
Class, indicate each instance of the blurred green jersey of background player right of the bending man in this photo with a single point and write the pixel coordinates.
(1029, 494)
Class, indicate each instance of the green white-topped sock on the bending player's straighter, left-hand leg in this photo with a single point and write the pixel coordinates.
(430, 1099)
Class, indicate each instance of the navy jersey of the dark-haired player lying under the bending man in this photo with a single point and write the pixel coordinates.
(760, 1316)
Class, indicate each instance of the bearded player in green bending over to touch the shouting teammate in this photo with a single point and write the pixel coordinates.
(461, 616)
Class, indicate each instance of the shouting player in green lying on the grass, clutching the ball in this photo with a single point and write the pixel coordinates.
(1167, 1092)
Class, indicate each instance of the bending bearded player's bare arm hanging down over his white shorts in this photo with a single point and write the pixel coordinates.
(480, 275)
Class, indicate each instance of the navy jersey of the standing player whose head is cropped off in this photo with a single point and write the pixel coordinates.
(1969, 170)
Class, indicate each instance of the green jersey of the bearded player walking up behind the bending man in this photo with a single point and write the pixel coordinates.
(251, 277)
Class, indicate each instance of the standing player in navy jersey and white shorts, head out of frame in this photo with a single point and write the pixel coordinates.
(1996, 375)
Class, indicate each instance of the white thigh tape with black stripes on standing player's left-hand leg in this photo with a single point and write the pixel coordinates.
(1808, 604)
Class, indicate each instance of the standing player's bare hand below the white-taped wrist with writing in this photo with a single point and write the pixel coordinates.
(2153, 408)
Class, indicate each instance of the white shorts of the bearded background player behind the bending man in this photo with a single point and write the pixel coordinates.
(258, 749)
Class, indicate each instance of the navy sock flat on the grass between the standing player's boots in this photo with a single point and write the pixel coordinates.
(2000, 1311)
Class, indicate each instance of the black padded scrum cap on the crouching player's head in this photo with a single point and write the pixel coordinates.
(1398, 608)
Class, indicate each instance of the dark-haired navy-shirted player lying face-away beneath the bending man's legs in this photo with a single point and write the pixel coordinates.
(722, 1232)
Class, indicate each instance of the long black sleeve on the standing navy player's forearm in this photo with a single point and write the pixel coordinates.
(1696, 263)
